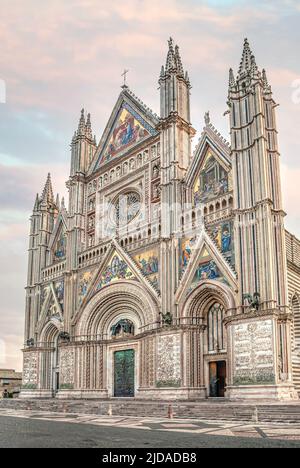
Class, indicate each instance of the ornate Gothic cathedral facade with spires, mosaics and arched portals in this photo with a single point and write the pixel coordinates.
(169, 274)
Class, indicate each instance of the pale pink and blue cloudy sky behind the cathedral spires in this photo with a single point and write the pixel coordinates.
(58, 56)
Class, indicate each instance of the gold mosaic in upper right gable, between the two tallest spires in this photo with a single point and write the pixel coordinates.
(213, 182)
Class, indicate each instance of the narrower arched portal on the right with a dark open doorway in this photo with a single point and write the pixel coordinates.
(205, 311)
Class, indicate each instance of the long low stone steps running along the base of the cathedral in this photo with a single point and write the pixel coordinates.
(199, 410)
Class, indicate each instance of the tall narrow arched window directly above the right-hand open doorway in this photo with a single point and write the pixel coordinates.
(215, 328)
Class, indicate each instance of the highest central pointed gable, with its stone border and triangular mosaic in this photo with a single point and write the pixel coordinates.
(131, 123)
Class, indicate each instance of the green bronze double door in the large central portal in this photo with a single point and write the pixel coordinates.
(124, 373)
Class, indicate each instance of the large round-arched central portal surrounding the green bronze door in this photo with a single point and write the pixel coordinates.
(115, 316)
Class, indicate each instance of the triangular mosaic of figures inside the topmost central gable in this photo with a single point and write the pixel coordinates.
(129, 129)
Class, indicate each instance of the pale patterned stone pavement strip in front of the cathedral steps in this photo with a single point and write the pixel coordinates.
(267, 431)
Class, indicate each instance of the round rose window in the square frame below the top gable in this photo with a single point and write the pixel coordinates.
(125, 208)
